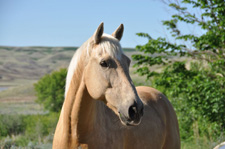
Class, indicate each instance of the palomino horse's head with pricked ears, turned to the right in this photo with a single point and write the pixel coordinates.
(107, 78)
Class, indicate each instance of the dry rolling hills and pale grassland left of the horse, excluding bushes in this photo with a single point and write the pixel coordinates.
(20, 68)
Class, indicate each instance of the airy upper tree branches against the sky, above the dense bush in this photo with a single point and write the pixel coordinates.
(210, 46)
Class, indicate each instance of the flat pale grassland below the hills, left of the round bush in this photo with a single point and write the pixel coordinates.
(20, 99)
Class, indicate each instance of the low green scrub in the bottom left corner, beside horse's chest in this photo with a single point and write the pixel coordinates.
(19, 130)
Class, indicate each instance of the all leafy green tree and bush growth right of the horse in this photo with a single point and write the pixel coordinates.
(197, 92)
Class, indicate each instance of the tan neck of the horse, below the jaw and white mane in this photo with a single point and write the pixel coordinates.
(76, 118)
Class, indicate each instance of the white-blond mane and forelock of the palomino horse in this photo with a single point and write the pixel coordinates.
(108, 44)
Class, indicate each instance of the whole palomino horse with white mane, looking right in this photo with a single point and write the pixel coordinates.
(102, 107)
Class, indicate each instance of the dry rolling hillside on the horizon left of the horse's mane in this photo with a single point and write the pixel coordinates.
(30, 63)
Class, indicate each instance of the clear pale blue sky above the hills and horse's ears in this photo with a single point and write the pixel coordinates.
(72, 22)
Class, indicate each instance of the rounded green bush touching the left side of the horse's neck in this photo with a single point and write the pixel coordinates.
(50, 90)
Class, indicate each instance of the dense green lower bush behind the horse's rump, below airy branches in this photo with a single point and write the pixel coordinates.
(198, 98)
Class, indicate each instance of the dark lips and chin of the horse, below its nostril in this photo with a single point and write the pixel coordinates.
(128, 122)
